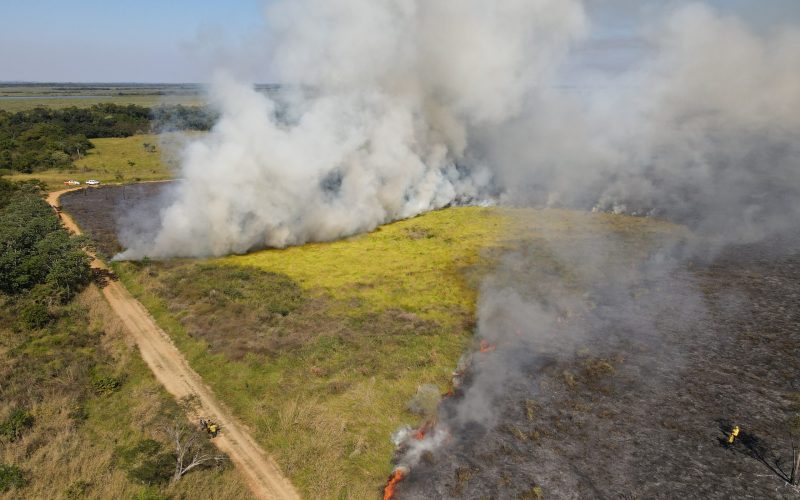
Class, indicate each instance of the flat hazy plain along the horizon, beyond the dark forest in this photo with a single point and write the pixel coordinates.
(15, 97)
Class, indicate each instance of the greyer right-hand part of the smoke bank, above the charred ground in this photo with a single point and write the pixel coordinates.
(703, 131)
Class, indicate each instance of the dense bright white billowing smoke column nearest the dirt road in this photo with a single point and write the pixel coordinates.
(398, 87)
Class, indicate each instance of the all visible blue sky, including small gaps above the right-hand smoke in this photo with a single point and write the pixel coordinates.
(178, 40)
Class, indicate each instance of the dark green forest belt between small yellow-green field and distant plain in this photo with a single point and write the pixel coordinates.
(42, 138)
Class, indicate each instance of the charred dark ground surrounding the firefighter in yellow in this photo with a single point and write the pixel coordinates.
(640, 412)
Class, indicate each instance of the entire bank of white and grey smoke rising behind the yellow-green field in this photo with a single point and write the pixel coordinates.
(404, 106)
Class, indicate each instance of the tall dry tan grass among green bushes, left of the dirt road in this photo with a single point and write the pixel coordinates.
(58, 452)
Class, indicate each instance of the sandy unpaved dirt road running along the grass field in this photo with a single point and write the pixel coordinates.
(174, 373)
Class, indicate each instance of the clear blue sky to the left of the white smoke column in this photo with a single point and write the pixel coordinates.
(116, 40)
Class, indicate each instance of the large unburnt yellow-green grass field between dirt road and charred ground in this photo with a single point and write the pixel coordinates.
(326, 380)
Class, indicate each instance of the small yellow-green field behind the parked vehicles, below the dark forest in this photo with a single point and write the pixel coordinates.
(119, 160)
